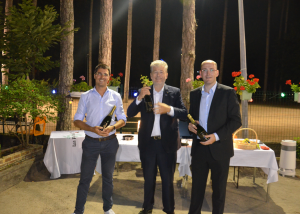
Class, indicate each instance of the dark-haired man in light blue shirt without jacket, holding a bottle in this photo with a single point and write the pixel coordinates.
(96, 104)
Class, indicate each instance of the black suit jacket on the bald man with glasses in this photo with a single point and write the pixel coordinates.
(224, 118)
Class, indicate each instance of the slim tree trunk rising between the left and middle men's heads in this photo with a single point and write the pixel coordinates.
(128, 53)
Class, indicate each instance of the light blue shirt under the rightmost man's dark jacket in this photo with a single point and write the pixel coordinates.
(205, 104)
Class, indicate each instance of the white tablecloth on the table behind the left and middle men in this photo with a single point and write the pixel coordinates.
(64, 153)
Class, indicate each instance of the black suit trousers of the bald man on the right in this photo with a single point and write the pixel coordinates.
(202, 161)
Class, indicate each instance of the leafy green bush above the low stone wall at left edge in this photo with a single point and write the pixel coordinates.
(31, 98)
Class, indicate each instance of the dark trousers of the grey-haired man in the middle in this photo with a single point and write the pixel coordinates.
(156, 156)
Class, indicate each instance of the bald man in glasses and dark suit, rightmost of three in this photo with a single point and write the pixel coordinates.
(215, 107)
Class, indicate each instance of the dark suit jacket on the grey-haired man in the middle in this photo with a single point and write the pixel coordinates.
(168, 125)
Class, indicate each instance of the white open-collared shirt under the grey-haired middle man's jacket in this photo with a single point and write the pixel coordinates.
(157, 97)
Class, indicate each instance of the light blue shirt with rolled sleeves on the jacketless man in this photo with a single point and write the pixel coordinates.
(97, 108)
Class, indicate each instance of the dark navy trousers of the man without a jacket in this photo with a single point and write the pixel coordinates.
(91, 150)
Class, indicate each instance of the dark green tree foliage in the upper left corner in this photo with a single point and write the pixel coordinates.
(31, 33)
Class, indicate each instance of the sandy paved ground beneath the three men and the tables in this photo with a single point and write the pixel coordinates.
(37, 194)
